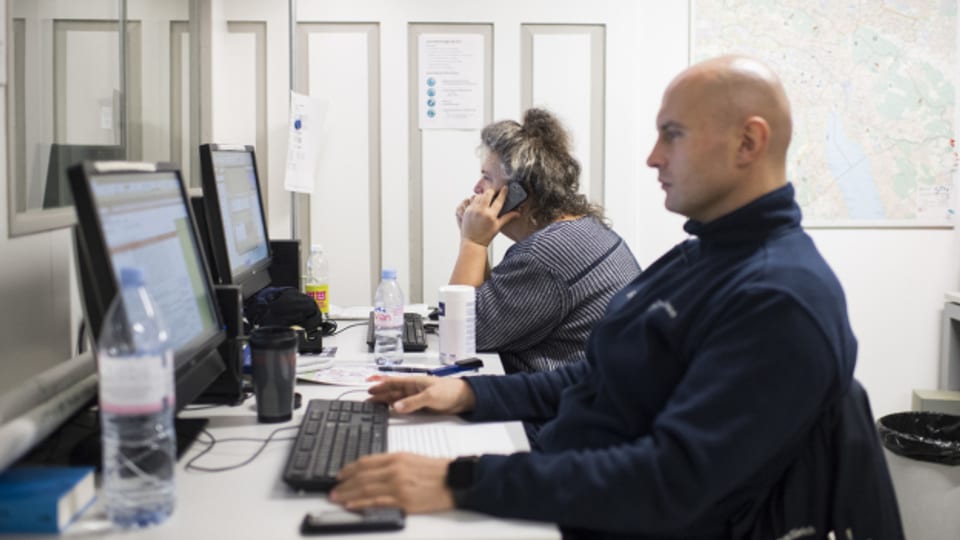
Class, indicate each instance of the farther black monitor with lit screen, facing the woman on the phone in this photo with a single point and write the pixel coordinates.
(235, 221)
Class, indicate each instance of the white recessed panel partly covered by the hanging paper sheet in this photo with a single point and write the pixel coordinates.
(341, 68)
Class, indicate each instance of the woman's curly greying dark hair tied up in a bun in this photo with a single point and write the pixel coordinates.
(537, 155)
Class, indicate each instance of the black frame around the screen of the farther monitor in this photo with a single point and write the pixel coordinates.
(255, 277)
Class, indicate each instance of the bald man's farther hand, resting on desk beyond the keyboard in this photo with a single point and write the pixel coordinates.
(410, 394)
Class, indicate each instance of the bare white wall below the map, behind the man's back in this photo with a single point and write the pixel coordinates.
(894, 280)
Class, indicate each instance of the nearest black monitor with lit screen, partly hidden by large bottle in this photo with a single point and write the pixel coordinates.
(137, 214)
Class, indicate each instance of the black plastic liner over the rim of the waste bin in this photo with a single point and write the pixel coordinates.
(924, 436)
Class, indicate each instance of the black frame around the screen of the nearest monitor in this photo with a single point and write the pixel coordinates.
(197, 363)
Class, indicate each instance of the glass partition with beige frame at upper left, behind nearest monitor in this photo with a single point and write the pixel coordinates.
(76, 90)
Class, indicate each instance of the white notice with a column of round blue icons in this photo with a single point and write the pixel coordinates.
(451, 81)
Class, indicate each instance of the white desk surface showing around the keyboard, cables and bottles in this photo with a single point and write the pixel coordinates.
(253, 502)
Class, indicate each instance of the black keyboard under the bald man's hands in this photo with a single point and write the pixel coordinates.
(332, 434)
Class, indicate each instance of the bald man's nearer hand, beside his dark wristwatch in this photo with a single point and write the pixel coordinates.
(415, 483)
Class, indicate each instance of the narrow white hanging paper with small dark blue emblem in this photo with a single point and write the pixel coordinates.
(307, 116)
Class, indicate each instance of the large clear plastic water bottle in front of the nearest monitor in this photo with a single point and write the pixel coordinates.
(135, 364)
